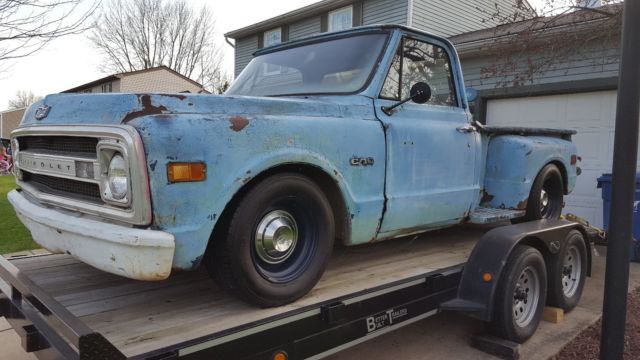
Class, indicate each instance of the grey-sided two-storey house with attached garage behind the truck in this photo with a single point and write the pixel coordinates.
(576, 90)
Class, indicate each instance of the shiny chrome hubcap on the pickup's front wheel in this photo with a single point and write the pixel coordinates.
(276, 237)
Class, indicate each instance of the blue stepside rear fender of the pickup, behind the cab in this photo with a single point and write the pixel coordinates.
(514, 161)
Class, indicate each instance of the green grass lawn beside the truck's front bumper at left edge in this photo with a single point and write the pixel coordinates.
(13, 235)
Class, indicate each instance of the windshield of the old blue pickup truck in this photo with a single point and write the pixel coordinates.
(334, 66)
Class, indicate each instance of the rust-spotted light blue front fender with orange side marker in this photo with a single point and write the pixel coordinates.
(238, 148)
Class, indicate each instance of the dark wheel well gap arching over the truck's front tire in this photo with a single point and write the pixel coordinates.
(319, 176)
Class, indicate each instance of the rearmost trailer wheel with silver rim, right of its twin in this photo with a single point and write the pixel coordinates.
(567, 272)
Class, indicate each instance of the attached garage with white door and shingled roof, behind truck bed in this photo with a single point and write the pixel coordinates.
(577, 91)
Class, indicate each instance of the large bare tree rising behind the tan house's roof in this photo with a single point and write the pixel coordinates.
(140, 34)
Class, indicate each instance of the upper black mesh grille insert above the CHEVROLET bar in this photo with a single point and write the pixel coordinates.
(76, 145)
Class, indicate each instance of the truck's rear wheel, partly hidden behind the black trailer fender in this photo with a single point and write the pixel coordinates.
(546, 197)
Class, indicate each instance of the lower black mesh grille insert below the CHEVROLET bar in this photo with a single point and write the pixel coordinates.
(64, 187)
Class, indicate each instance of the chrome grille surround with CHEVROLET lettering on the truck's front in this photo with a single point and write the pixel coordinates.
(54, 164)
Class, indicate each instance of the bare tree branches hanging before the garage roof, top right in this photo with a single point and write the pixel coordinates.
(530, 42)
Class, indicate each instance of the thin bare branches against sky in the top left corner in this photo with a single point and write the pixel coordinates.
(26, 26)
